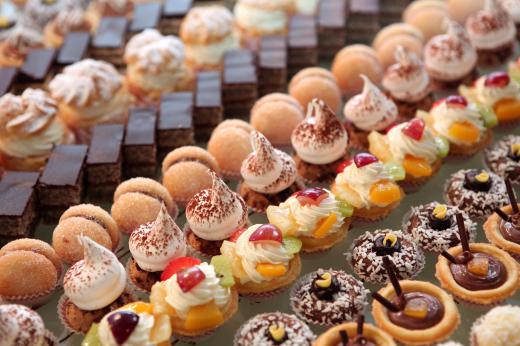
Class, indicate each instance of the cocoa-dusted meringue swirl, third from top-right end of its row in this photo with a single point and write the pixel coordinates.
(407, 80)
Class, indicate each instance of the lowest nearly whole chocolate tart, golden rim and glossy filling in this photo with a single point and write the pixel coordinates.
(442, 320)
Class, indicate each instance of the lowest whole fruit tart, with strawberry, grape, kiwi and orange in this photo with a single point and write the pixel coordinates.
(198, 297)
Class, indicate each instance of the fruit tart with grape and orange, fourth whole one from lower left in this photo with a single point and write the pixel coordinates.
(369, 187)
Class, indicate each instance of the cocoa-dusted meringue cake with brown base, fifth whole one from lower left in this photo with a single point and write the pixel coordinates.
(320, 143)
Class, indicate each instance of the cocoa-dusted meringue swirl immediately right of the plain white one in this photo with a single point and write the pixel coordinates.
(155, 244)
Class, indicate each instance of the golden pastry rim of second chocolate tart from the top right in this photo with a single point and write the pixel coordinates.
(482, 297)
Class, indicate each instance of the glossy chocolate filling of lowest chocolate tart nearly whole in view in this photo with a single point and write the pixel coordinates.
(433, 315)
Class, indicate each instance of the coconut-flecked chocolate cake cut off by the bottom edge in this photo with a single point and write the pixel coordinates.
(274, 328)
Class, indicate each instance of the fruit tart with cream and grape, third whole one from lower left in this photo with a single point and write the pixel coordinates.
(313, 215)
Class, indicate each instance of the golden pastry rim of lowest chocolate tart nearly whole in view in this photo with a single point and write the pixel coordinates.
(439, 332)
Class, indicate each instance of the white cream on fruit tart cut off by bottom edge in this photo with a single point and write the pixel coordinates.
(140, 336)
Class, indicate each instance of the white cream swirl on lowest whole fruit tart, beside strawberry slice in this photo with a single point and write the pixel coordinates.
(206, 291)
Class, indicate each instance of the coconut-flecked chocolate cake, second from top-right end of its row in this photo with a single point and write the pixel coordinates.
(477, 192)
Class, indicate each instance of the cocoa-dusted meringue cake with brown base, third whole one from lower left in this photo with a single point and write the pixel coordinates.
(213, 215)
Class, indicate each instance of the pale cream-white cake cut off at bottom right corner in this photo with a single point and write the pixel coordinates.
(498, 327)
